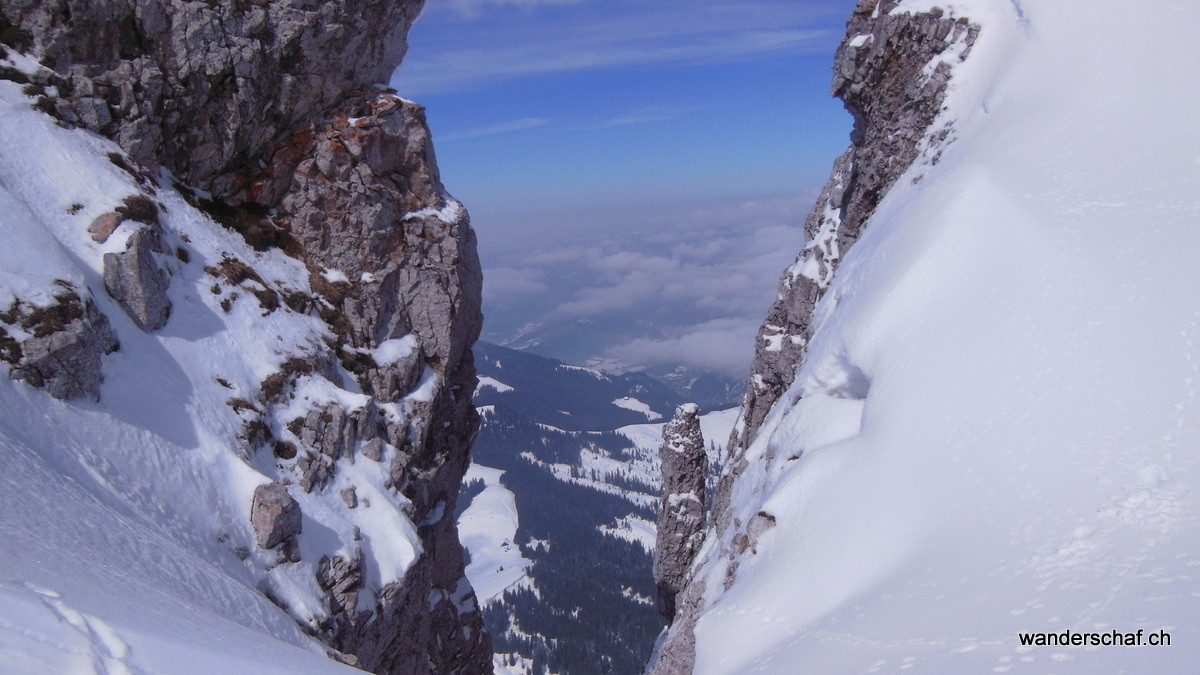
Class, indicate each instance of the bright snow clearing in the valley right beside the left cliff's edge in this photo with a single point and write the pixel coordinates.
(488, 530)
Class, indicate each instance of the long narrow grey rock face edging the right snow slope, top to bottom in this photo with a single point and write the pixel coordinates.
(891, 71)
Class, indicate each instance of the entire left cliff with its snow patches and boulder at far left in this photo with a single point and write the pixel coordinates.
(266, 118)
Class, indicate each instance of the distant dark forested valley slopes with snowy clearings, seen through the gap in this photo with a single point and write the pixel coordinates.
(559, 511)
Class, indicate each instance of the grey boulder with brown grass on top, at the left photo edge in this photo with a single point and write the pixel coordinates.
(63, 347)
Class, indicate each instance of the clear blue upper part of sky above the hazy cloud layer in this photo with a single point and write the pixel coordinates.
(596, 101)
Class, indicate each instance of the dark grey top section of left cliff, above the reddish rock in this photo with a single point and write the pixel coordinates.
(203, 88)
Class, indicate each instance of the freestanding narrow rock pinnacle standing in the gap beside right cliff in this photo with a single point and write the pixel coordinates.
(681, 528)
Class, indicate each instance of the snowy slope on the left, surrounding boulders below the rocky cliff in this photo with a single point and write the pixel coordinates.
(125, 524)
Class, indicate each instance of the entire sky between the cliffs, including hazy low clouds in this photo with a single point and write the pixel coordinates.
(631, 128)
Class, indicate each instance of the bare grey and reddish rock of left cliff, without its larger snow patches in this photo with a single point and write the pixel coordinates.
(272, 109)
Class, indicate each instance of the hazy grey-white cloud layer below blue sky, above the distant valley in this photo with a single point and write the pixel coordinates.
(673, 285)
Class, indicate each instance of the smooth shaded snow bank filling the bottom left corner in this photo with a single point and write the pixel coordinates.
(92, 577)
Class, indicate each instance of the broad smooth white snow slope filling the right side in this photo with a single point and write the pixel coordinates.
(997, 428)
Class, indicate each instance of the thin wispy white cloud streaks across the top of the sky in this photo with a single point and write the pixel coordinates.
(627, 34)
